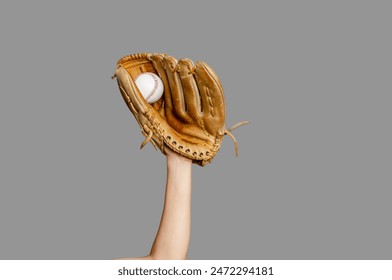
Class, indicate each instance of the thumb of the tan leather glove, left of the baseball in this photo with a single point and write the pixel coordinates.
(130, 91)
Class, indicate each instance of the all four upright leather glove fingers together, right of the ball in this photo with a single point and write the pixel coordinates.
(193, 90)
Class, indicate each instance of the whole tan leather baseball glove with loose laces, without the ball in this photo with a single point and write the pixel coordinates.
(190, 116)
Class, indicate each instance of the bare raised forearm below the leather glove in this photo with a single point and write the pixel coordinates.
(172, 239)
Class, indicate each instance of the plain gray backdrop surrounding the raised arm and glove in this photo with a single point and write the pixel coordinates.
(313, 178)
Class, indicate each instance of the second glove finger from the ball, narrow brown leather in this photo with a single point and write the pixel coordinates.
(177, 96)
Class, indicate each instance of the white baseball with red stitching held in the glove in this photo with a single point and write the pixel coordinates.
(150, 86)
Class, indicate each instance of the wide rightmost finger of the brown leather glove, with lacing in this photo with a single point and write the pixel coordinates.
(211, 91)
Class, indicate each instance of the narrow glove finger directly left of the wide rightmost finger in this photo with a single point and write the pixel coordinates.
(191, 92)
